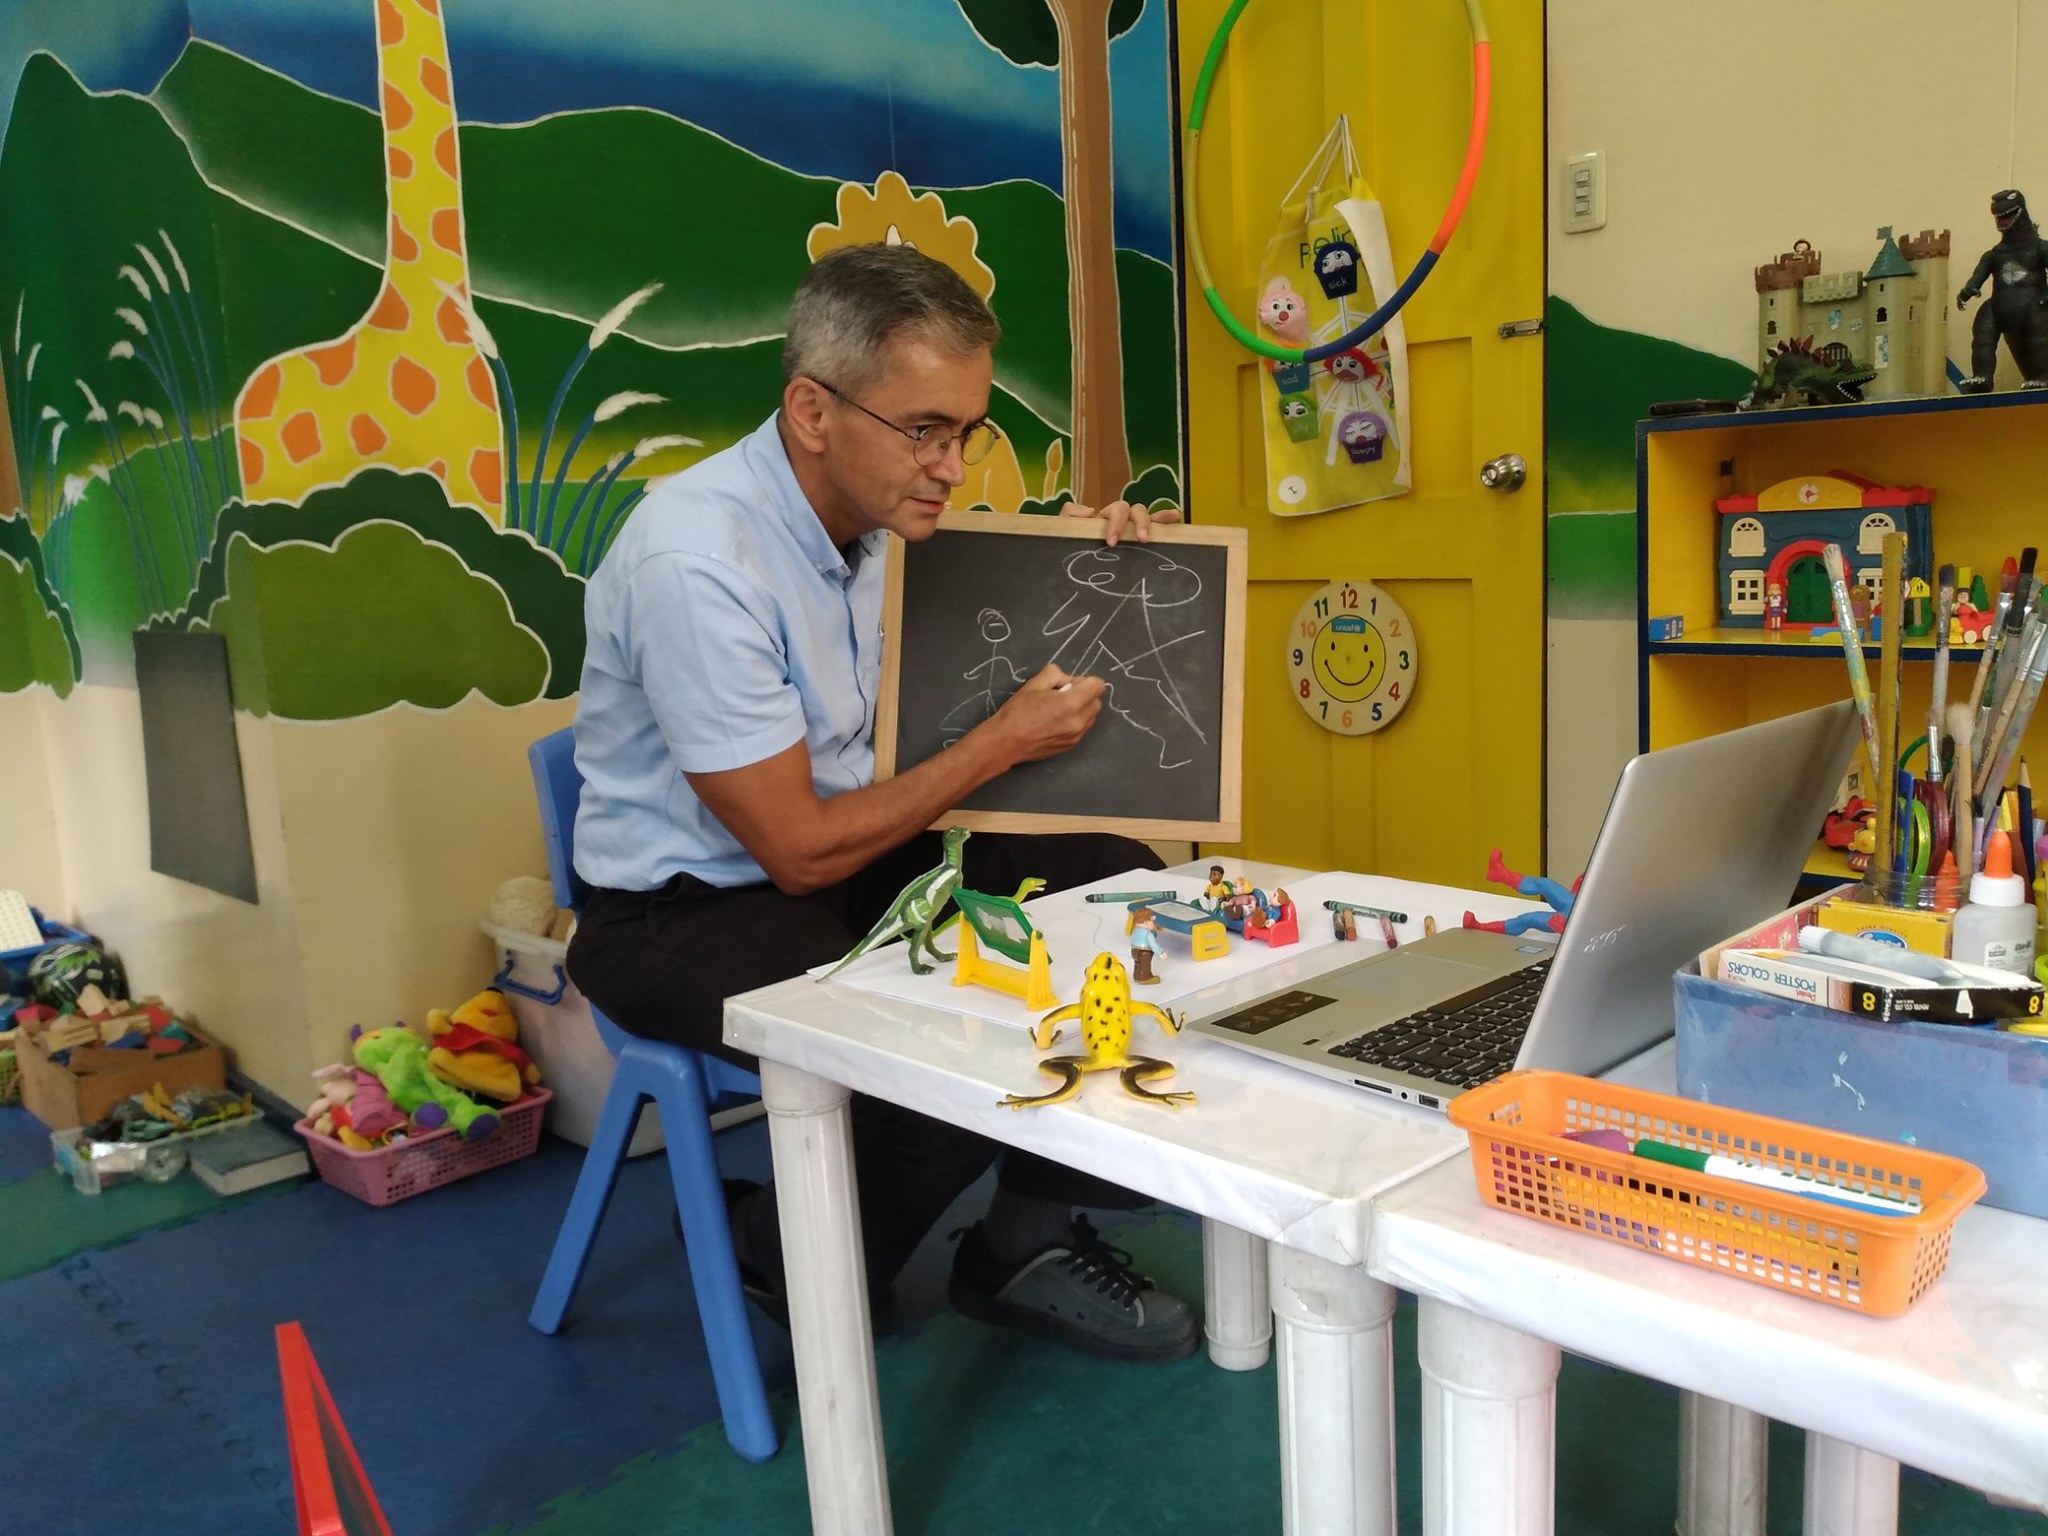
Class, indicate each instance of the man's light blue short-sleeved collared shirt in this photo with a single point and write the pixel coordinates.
(724, 628)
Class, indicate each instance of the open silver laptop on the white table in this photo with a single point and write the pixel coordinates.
(1699, 841)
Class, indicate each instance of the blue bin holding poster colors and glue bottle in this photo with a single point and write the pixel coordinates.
(1973, 1093)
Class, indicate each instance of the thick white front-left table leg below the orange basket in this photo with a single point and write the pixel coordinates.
(1488, 1426)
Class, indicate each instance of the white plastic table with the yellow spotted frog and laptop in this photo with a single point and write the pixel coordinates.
(1271, 1158)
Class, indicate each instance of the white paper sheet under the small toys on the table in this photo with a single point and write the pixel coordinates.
(1076, 931)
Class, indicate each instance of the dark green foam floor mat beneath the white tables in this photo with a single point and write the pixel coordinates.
(1005, 1437)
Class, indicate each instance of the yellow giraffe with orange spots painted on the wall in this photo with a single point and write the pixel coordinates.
(407, 386)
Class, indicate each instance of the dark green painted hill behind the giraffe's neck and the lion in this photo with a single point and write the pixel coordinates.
(574, 212)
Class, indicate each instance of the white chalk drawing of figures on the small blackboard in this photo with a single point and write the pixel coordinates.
(1105, 628)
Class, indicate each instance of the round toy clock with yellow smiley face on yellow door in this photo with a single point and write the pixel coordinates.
(1351, 658)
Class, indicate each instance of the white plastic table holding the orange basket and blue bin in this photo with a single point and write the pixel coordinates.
(1959, 1385)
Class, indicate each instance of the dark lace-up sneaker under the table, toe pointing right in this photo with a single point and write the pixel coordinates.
(1080, 1293)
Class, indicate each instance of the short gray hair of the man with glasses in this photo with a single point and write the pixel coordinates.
(857, 300)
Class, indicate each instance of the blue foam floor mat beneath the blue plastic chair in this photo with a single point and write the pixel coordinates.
(419, 1320)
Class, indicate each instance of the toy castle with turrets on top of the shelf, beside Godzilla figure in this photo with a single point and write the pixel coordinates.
(1891, 318)
